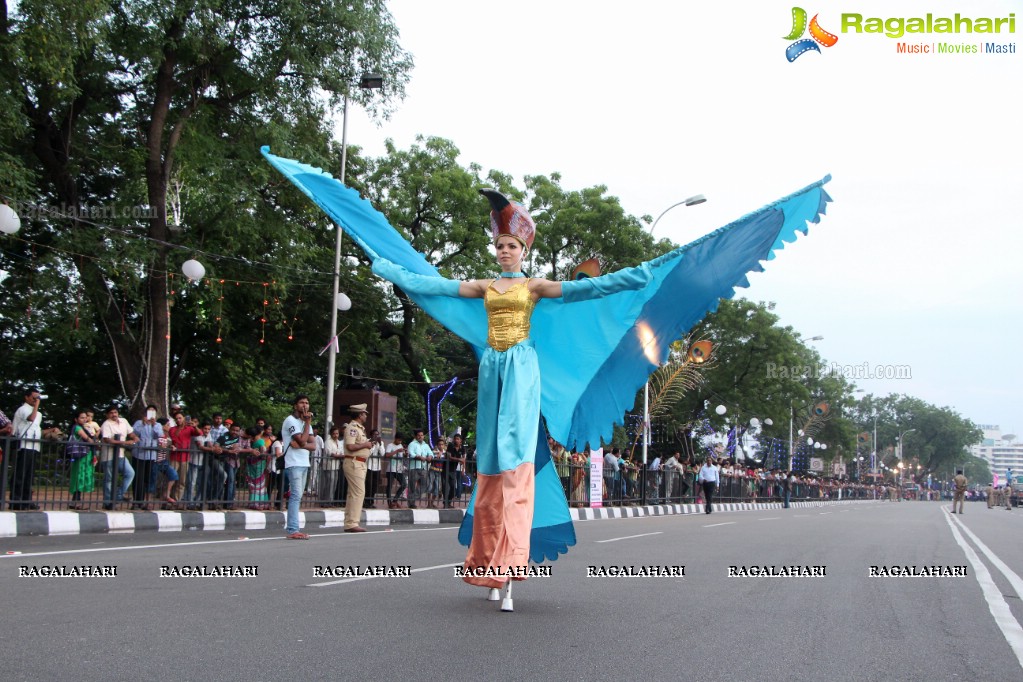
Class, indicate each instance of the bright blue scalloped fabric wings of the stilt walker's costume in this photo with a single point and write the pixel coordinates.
(590, 384)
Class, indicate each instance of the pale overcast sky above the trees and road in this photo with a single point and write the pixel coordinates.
(917, 263)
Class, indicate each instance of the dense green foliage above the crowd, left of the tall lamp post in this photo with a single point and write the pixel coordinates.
(112, 107)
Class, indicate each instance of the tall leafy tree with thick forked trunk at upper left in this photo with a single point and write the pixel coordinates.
(123, 100)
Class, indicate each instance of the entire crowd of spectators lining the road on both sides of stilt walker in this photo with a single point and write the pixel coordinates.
(183, 463)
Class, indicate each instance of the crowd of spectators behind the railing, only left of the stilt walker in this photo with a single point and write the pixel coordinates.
(183, 463)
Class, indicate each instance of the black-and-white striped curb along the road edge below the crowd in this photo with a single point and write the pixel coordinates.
(14, 524)
